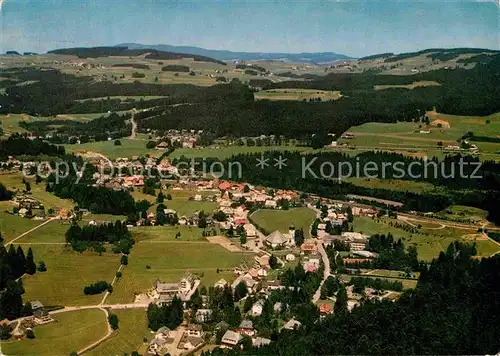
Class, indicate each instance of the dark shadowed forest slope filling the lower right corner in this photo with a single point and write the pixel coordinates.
(454, 310)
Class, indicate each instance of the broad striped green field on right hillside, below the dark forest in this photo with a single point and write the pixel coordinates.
(405, 136)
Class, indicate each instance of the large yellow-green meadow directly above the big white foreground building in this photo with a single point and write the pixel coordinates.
(169, 261)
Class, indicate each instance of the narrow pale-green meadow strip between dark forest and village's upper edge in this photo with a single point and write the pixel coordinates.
(228, 151)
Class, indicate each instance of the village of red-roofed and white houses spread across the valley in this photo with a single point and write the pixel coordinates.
(275, 252)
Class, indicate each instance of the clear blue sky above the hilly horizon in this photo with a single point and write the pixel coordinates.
(352, 27)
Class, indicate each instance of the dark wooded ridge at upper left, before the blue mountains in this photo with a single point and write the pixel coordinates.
(95, 52)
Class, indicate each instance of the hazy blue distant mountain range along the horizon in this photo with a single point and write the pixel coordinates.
(222, 55)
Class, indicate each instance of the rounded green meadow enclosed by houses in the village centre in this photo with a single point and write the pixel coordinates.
(281, 220)
